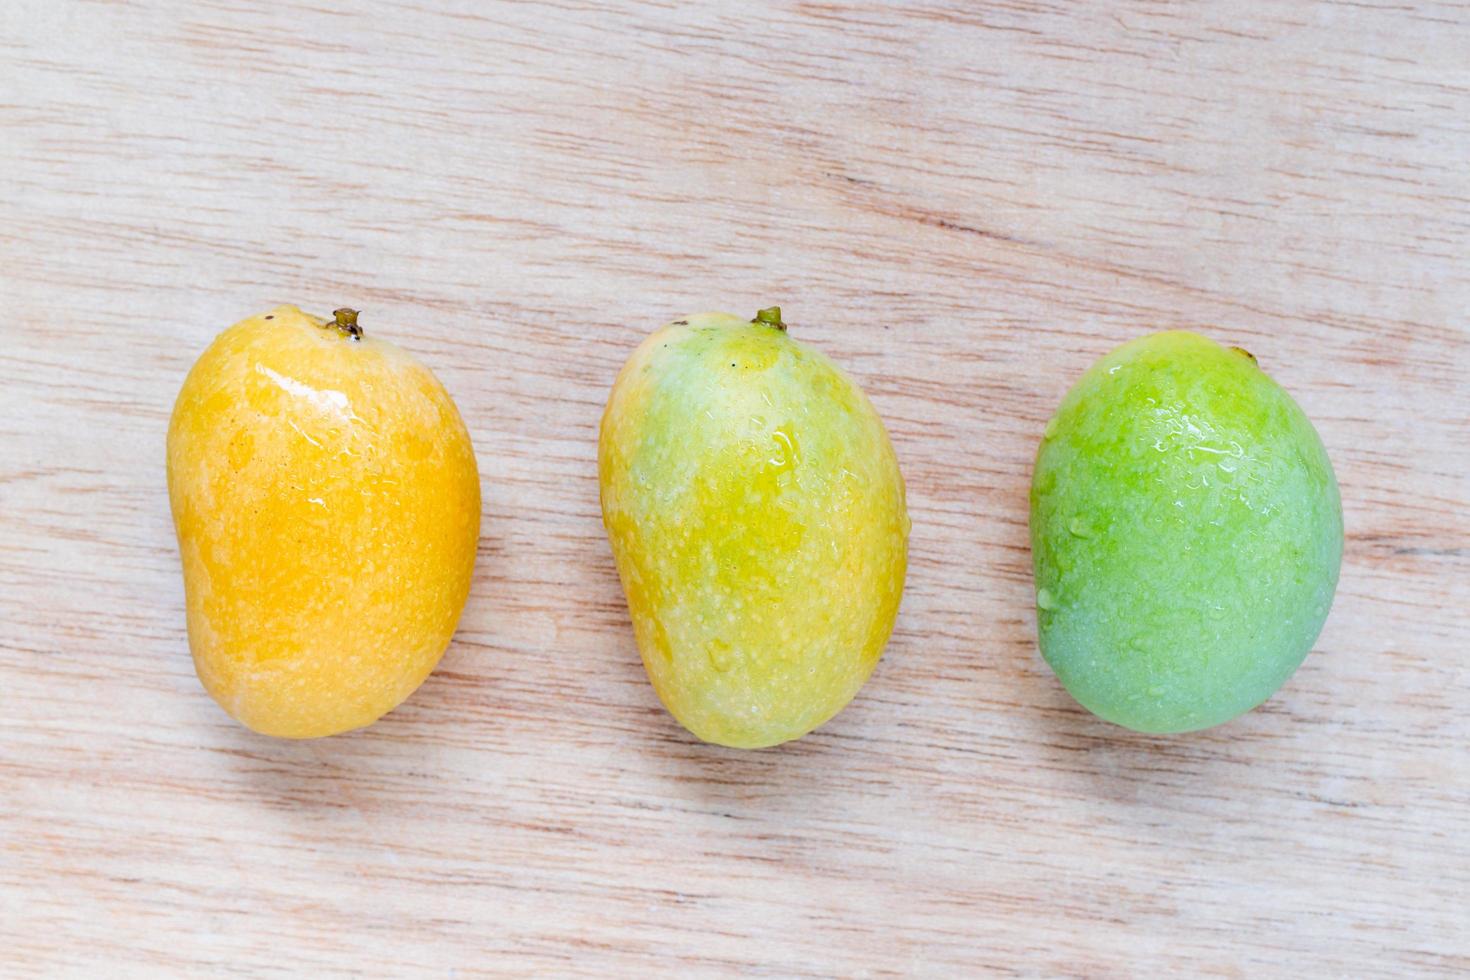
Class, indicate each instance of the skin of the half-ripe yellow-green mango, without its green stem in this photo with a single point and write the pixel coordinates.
(758, 519)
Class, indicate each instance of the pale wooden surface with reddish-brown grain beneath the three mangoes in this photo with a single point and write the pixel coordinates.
(962, 203)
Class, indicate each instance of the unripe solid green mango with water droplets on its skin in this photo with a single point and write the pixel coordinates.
(1187, 536)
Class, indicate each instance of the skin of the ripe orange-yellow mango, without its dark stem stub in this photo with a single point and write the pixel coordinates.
(327, 505)
